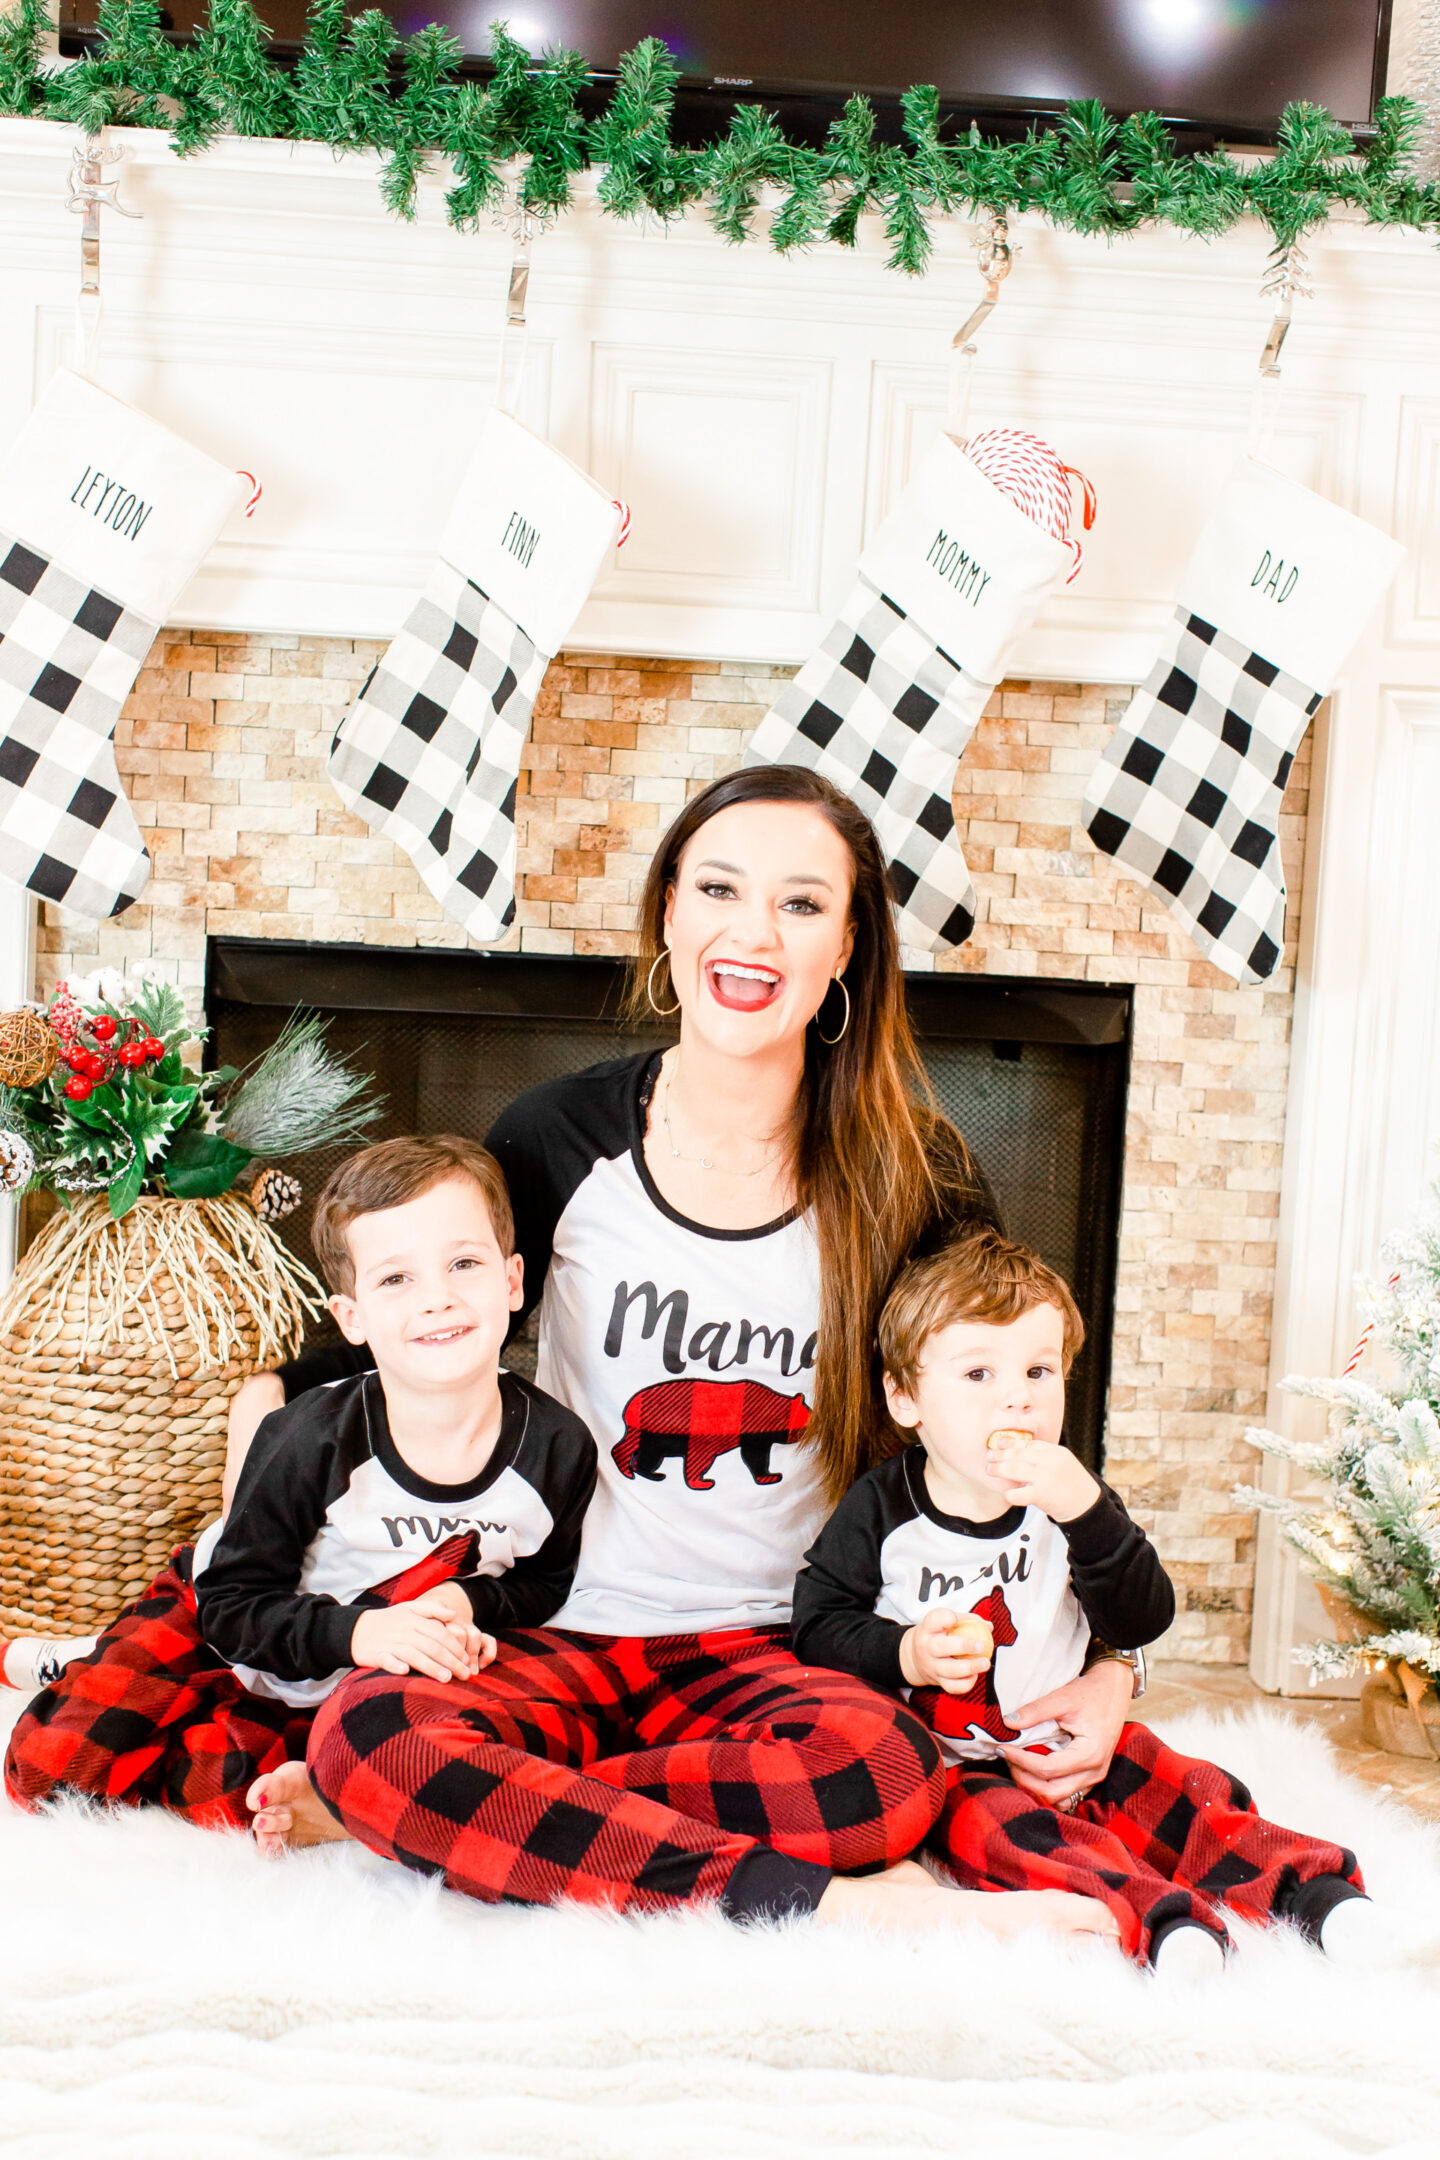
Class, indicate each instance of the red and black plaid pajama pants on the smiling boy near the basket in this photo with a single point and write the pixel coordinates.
(157, 1718)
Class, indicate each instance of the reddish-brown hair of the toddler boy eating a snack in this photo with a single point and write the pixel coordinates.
(979, 1278)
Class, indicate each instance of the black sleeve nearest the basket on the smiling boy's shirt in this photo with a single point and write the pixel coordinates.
(249, 1602)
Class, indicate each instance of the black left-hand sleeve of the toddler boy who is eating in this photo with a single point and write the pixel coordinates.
(834, 1619)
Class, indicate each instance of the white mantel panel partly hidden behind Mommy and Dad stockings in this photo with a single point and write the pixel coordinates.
(1141, 442)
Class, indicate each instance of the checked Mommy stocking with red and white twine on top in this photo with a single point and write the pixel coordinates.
(895, 690)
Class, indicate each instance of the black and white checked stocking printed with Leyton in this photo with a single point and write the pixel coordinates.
(105, 517)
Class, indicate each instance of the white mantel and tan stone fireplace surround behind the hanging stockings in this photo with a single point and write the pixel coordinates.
(761, 416)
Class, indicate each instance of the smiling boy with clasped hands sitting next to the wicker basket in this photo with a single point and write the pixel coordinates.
(394, 1520)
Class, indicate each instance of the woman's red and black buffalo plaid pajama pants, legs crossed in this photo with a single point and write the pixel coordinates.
(631, 1772)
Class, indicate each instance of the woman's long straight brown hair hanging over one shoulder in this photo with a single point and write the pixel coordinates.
(873, 1159)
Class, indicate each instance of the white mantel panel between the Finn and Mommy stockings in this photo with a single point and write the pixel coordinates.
(722, 461)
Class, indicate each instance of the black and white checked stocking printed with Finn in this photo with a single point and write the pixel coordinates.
(431, 751)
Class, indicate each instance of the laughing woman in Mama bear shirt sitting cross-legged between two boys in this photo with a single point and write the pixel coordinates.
(698, 1228)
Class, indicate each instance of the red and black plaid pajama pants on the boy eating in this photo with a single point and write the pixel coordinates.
(1165, 1841)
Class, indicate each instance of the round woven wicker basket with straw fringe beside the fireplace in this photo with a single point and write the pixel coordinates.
(120, 1351)
